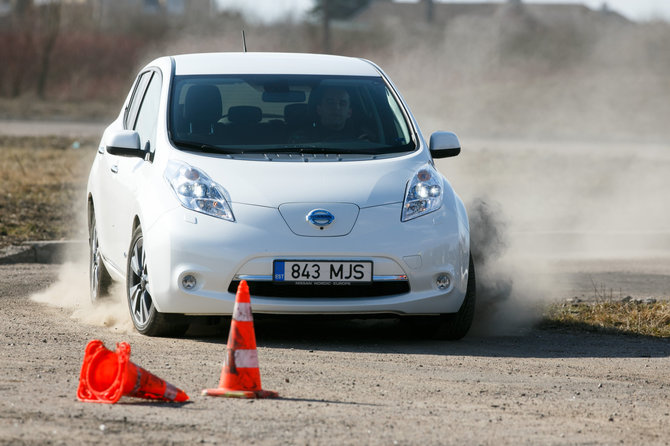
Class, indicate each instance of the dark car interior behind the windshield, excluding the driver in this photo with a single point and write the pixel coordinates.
(241, 113)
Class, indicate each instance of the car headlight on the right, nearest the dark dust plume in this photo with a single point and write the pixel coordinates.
(423, 195)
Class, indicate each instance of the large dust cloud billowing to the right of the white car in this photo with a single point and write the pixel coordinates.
(565, 153)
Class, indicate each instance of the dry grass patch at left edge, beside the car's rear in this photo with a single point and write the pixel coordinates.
(42, 188)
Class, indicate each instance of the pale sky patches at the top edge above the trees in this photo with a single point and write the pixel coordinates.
(269, 10)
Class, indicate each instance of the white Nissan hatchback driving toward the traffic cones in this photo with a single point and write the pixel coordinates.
(305, 175)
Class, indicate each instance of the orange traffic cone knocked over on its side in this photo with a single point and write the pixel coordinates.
(107, 375)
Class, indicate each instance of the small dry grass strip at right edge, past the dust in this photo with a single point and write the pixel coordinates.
(630, 317)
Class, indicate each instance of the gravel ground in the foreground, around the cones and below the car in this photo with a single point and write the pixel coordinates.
(339, 382)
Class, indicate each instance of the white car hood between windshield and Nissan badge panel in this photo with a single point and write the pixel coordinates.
(274, 183)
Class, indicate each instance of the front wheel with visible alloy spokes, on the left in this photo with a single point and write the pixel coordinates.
(146, 319)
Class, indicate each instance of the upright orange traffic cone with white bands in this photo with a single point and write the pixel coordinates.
(240, 377)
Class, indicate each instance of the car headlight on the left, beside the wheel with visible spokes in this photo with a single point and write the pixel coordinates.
(197, 191)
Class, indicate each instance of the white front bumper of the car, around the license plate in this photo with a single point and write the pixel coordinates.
(219, 253)
